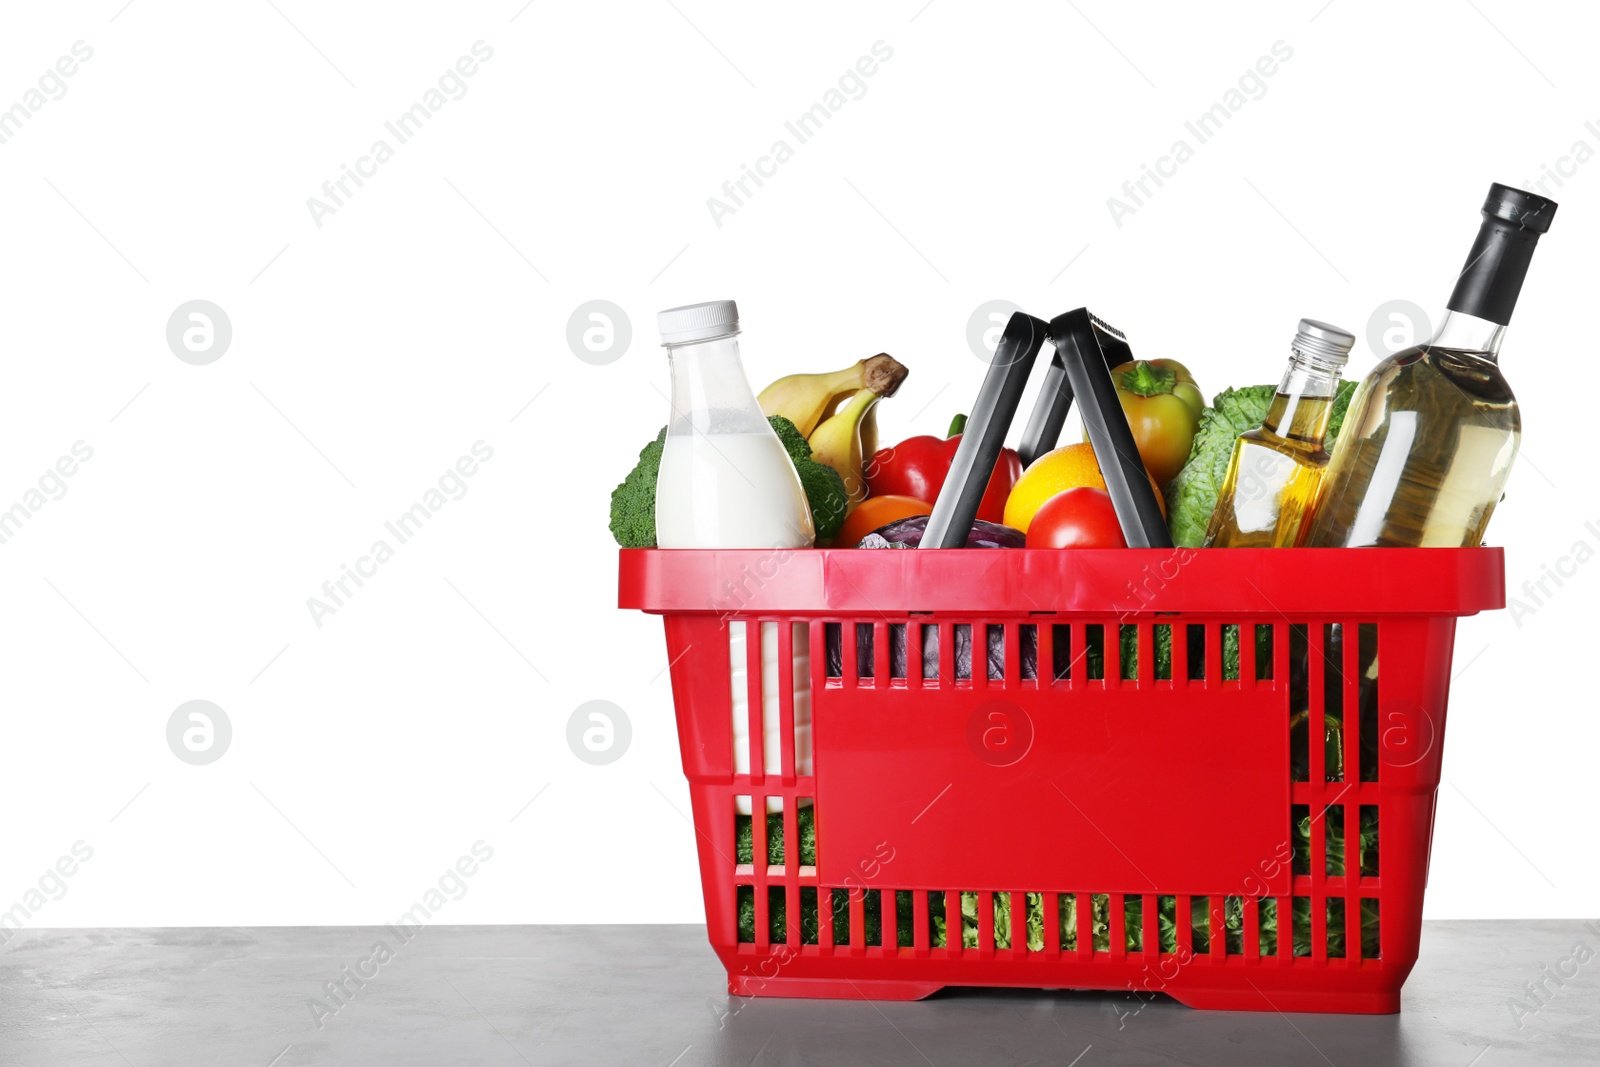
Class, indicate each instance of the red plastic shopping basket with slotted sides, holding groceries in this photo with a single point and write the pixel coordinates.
(1207, 773)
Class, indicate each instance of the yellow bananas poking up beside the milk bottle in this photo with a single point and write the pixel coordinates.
(836, 414)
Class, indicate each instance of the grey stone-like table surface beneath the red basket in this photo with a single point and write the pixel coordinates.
(655, 996)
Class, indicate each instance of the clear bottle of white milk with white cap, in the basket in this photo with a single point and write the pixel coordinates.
(727, 484)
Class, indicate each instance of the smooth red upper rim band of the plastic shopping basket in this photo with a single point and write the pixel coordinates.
(1247, 583)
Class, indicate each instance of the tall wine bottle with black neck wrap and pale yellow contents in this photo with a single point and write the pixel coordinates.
(1431, 434)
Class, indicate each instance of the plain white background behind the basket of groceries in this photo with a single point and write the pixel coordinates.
(431, 310)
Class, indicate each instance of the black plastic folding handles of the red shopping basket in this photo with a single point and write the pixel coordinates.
(1086, 351)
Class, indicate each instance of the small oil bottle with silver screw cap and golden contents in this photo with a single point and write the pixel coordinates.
(1276, 471)
